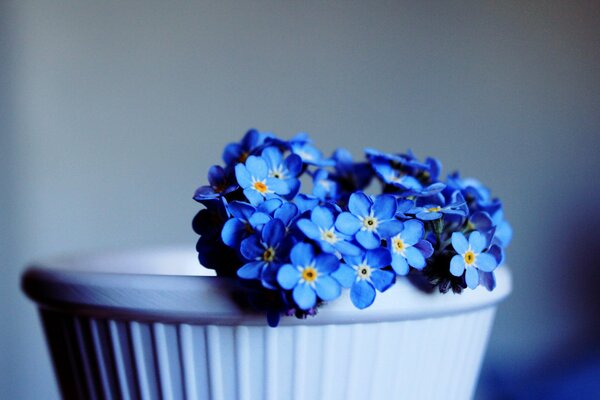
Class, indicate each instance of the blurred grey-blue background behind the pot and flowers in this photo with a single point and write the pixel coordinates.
(112, 112)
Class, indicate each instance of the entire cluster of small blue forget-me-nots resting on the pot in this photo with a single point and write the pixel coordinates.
(293, 251)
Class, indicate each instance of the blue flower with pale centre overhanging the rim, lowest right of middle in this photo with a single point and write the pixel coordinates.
(363, 274)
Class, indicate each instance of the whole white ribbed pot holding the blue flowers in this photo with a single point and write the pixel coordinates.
(144, 325)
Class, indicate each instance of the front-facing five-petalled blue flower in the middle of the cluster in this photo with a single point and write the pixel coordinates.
(369, 221)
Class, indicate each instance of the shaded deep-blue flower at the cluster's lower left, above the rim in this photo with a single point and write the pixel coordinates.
(264, 252)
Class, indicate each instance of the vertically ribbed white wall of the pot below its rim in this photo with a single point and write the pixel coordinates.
(436, 358)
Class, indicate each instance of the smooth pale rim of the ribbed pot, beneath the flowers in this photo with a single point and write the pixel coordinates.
(168, 285)
